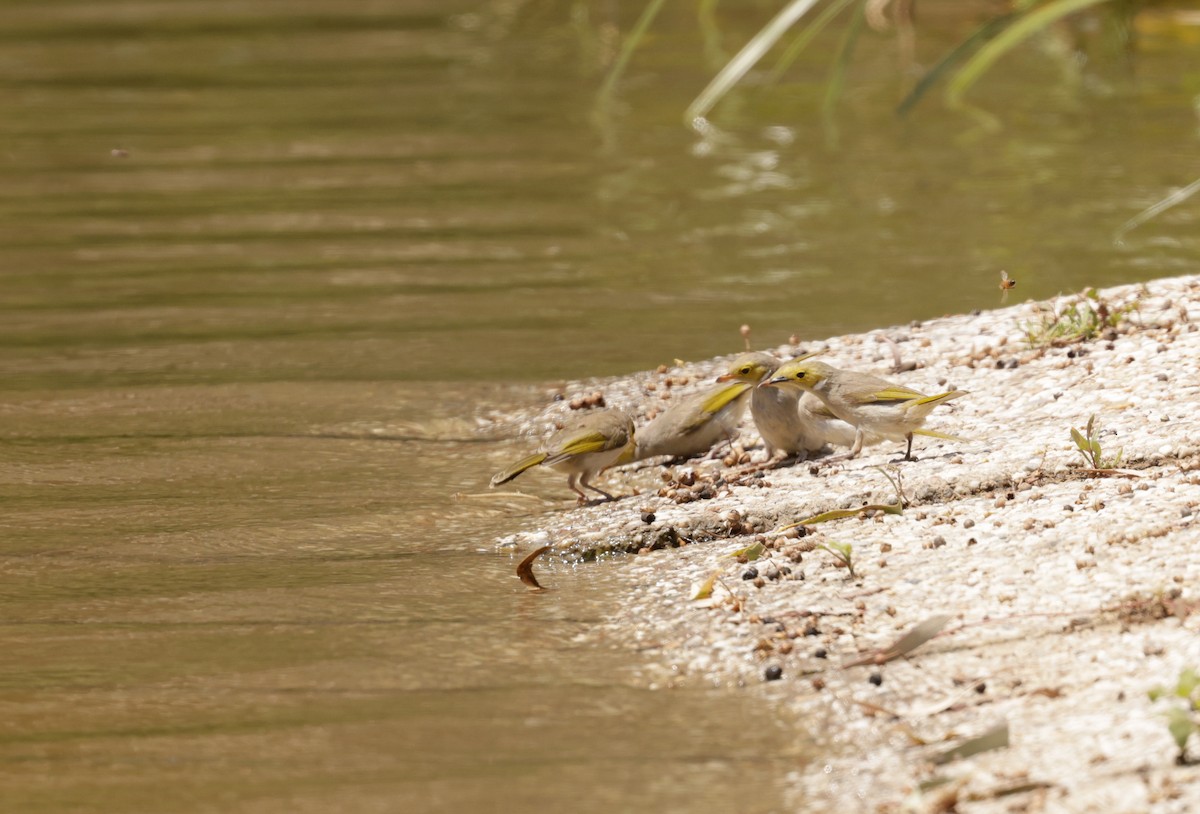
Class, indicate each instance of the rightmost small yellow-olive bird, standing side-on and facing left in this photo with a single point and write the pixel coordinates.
(869, 403)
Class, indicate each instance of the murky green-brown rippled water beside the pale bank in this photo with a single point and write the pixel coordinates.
(263, 265)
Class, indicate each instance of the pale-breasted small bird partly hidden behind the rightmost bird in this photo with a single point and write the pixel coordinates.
(789, 421)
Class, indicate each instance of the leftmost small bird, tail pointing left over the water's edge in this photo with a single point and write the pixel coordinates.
(583, 448)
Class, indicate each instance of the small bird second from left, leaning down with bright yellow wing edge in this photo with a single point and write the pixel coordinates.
(694, 424)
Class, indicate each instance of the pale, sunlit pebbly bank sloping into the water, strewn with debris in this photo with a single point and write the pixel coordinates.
(1070, 592)
